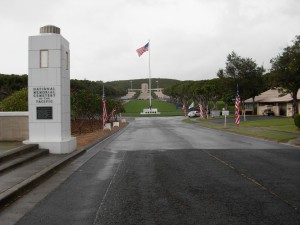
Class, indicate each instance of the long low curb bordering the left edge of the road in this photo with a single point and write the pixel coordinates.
(12, 194)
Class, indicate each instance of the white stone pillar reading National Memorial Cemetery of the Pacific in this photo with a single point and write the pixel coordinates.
(49, 91)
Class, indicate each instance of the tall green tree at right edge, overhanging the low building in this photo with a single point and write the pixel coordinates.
(286, 71)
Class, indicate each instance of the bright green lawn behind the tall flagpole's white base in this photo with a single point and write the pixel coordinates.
(135, 107)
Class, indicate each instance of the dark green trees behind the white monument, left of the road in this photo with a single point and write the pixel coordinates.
(86, 97)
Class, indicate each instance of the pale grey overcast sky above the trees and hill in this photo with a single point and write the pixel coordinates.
(189, 39)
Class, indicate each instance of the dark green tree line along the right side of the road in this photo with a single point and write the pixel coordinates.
(243, 75)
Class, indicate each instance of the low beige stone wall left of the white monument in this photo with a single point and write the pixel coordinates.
(14, 126)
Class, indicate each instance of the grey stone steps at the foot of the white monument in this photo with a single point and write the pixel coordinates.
(23, 168)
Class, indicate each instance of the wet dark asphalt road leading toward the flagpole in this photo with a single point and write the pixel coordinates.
(163, 171)
